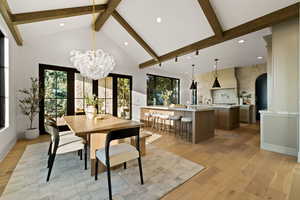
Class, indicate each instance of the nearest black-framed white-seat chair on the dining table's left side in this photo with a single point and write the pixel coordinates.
(63, 145)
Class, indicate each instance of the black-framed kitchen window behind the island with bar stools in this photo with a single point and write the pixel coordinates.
(159, 86)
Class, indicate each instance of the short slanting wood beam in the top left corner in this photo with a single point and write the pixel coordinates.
(6, 14)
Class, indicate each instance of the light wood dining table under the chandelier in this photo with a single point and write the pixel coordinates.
(94, 131)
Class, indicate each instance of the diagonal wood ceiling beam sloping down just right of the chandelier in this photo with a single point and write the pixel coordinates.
(134, 34)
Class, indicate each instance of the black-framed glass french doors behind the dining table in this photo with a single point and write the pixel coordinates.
(65, 90)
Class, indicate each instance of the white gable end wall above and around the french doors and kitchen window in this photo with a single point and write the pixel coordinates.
(55, 50)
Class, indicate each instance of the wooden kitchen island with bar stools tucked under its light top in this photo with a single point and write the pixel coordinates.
(203, 125)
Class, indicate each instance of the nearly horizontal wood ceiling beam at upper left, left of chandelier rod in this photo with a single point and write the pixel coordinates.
(23, 18)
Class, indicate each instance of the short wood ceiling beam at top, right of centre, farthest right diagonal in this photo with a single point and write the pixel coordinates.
(211, 17)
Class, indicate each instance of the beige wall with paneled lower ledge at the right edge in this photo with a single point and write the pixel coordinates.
(280, 124)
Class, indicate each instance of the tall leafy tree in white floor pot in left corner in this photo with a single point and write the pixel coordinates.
(29, 105)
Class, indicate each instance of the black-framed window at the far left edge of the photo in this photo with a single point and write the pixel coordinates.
(3, 80)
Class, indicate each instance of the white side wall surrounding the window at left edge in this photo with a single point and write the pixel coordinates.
(8, 135)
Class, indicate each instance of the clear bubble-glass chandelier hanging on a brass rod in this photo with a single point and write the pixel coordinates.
(93, 64)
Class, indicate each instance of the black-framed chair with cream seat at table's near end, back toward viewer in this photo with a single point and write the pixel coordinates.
(113, 155)
